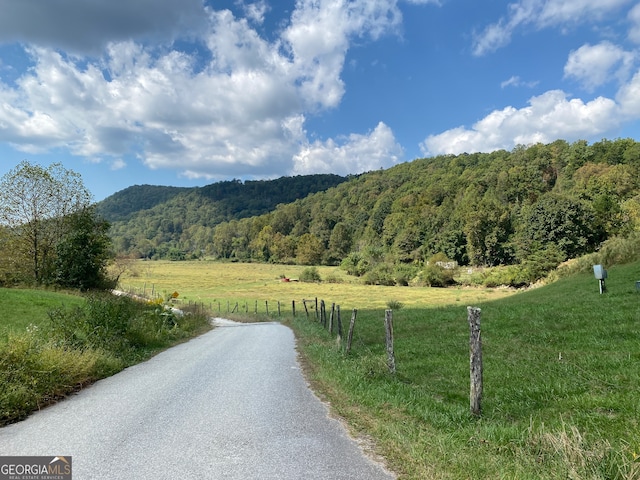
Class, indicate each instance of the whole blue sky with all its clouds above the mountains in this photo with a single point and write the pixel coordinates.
(187, 93)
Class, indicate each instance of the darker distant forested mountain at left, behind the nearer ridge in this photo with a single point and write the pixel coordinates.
(151, 221)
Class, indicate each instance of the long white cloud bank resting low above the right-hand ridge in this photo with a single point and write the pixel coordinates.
(548, 117)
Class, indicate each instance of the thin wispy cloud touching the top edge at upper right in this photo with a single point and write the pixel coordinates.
(541, 14)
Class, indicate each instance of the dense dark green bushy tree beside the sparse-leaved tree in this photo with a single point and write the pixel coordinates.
(83, 252)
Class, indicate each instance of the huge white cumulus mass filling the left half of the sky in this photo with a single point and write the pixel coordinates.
(235, 104)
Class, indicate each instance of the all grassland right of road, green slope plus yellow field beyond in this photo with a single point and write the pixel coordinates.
(561, 369)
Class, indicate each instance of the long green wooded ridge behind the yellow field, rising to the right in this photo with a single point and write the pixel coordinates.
(534, 207)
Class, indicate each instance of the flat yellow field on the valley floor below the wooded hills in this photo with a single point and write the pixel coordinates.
(211, 282)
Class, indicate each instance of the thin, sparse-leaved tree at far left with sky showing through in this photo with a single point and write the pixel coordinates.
(34, 203)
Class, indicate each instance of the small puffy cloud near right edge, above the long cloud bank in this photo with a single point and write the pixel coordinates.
(595, 65)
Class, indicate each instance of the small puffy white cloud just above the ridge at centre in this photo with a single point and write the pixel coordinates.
(355, 154)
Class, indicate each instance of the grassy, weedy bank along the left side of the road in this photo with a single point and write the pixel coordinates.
(53, 344)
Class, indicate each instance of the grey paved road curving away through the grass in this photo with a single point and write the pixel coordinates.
(231, 404)
